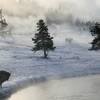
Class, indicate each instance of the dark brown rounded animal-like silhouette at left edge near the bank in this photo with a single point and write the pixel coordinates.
(4, 76)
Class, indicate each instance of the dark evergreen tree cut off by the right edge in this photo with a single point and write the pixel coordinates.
(95, 31)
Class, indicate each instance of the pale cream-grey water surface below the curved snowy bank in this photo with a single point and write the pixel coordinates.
(86, 88)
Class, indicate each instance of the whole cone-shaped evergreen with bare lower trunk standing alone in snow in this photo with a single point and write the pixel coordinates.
(43, 41)
